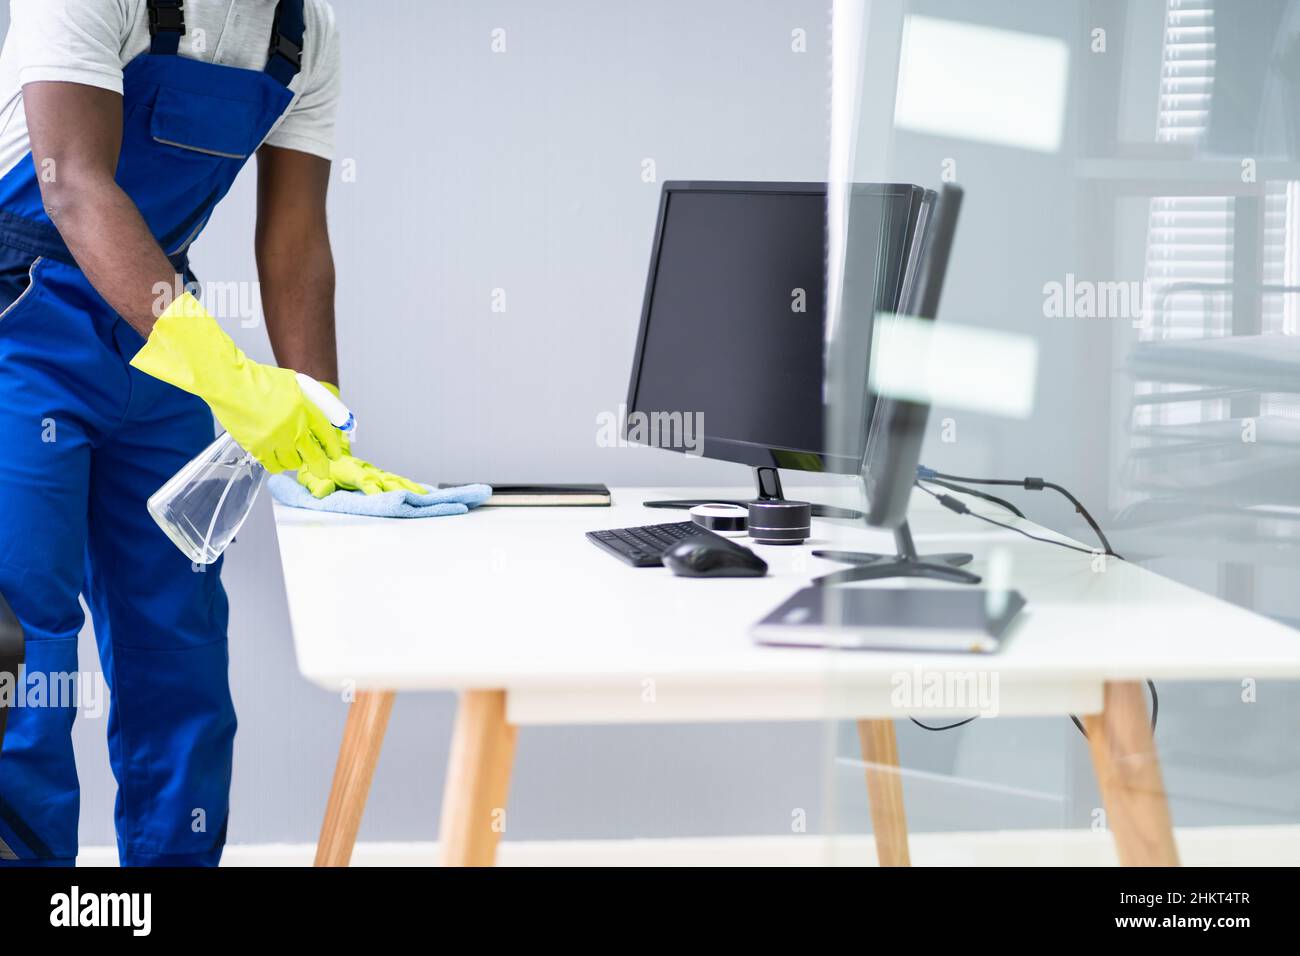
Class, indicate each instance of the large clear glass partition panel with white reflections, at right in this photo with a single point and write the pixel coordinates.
(1117, 317)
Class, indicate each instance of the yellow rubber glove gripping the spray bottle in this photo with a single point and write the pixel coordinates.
(261, 406)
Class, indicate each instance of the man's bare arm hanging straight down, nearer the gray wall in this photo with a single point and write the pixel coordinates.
(294, 261)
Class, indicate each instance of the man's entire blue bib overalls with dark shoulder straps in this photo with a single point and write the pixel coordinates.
(85, 440)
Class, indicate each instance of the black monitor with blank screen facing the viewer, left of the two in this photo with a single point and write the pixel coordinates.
(731, 354)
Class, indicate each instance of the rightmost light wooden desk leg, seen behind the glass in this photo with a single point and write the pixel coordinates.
(1124, 758)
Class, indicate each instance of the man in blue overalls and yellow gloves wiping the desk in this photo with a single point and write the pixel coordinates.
(124, 129)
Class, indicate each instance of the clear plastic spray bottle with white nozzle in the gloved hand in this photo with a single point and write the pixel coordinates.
(203, 507)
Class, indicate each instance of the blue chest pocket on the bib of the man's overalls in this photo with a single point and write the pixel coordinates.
(207, 126)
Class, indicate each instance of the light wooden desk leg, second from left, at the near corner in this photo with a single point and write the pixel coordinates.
(474, 802)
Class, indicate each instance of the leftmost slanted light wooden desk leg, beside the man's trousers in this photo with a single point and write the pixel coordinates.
(363, 738)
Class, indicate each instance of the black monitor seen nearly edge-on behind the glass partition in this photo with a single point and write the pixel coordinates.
(898, 429)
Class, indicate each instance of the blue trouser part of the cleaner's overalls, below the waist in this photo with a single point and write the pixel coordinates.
(85, 440)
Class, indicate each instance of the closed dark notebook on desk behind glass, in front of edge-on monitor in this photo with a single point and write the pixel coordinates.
(939, 620)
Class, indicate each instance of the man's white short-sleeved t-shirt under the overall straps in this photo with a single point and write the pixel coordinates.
(90, 42)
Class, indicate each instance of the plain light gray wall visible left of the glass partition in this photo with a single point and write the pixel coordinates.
(521, 171)
